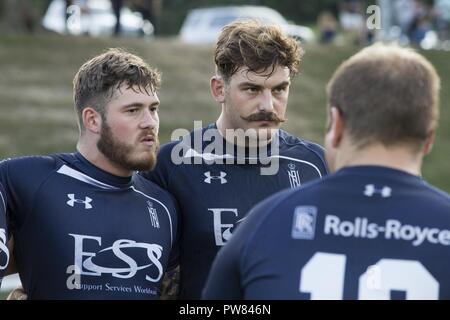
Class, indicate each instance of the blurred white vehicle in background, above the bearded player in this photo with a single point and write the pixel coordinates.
(95, 18)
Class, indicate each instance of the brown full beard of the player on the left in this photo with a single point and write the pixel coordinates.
(123, 154)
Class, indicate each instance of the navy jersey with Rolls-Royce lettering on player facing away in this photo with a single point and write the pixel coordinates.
(366, 232)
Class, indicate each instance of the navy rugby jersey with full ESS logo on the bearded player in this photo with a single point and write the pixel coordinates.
(82, 233)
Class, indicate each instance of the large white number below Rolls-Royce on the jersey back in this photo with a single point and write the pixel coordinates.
(323, 278)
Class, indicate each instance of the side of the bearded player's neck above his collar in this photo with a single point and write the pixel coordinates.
(94, 156)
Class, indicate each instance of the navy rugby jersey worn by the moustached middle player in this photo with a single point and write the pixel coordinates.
(214, 198)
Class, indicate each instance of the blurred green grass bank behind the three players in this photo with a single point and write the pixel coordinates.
(36, 109)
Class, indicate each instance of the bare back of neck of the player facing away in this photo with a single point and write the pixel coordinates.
(400, 158)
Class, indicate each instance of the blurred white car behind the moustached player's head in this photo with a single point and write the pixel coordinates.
(202, 26)
